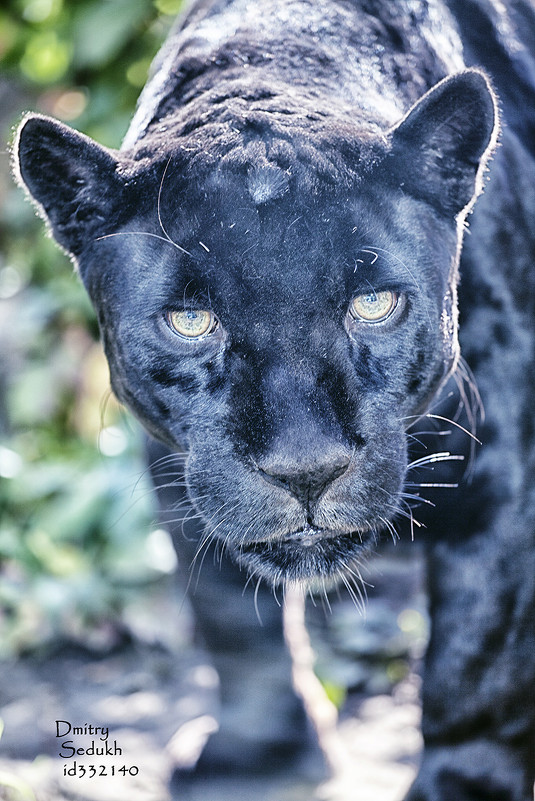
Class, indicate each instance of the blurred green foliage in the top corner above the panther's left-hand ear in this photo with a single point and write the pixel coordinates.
(84, 60)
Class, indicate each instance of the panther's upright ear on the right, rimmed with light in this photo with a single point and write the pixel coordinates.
(441, 146)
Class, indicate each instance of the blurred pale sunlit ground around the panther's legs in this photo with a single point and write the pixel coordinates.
(157, 693)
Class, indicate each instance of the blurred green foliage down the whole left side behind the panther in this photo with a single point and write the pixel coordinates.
(76, 508)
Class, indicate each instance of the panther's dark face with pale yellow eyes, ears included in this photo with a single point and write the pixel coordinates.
(282, 327)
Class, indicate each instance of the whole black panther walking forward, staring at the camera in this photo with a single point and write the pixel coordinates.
(275, 259)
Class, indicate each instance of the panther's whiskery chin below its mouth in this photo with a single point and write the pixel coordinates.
(310, 556)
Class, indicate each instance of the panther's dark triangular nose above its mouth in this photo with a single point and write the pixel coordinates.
(306, 481)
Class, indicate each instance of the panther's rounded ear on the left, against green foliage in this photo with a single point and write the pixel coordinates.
(73, 180)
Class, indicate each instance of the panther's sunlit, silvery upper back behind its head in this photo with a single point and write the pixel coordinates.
(297, 57)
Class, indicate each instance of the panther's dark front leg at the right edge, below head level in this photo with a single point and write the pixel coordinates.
(478, 698)
